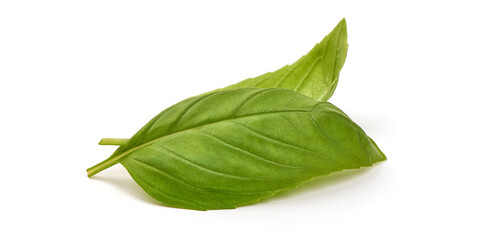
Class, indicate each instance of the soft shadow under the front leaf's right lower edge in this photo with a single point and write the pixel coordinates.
(336, 181)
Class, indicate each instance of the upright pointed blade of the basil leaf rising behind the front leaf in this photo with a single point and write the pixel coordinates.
(315, 75)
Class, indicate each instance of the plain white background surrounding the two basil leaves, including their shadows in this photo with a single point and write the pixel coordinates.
(72, 72)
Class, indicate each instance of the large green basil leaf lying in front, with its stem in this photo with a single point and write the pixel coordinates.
(234, 147)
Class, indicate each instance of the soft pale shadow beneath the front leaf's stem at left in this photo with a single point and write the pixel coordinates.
(123, 181)
